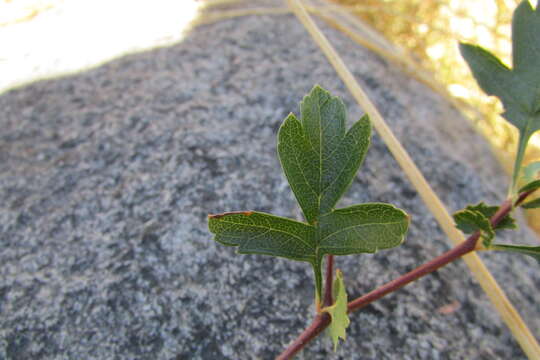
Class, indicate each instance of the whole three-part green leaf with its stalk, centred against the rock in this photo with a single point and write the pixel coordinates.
(320, 160)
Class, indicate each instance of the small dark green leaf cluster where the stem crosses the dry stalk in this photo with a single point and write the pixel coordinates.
(476, 217)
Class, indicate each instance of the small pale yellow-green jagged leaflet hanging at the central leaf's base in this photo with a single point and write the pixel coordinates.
(338, 311)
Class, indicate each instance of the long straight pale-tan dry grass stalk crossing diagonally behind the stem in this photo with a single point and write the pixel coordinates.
(506, 310)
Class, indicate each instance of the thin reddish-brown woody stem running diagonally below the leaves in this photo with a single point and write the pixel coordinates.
(322, 320)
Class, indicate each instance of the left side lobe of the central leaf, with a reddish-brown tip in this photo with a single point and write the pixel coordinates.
(264, 234)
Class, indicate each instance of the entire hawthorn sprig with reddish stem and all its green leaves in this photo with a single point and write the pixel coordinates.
(320, 158)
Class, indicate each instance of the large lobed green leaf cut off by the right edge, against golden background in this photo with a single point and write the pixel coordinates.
(517, 88)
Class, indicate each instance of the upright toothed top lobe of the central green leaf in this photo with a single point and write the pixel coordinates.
(318, 157)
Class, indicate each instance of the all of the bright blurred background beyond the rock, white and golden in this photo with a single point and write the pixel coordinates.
(46, 38)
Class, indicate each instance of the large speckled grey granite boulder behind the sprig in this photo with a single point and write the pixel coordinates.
(107, 177)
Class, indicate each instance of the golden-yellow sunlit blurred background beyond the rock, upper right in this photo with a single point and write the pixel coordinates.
(430, 30)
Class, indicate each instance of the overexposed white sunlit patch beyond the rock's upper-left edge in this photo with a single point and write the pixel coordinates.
(46, 38)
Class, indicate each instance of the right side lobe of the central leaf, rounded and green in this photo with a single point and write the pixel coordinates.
(363, 228)
